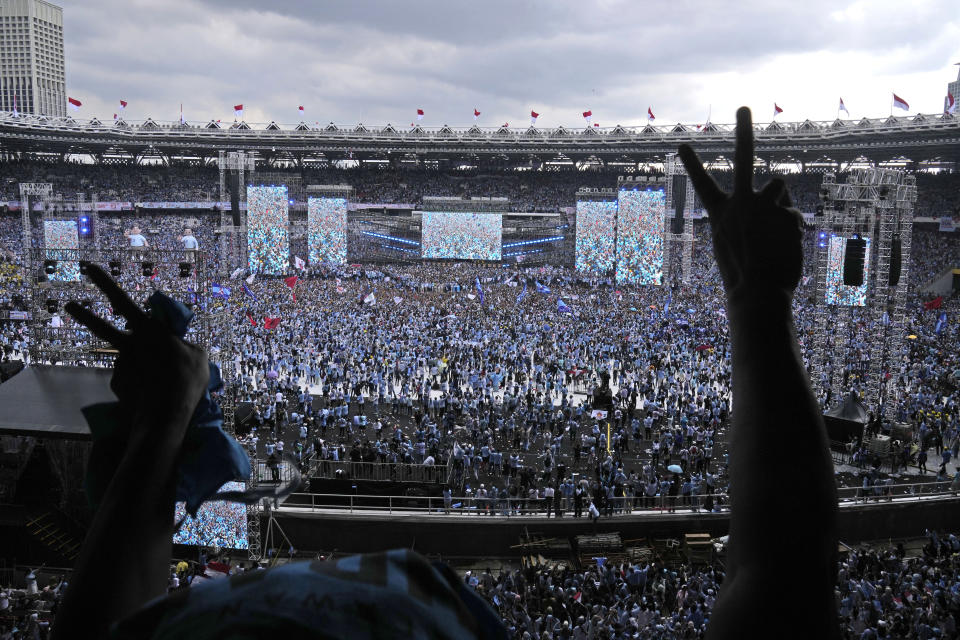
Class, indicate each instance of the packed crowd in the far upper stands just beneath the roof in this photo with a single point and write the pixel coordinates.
(528, 190)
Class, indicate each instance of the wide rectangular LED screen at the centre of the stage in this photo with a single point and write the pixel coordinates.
(462, 236)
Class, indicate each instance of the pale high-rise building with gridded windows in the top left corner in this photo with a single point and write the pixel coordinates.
(32, 77)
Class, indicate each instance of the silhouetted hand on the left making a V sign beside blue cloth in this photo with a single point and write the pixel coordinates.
(156, 372)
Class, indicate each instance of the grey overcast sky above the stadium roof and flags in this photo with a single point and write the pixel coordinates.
(377, 62)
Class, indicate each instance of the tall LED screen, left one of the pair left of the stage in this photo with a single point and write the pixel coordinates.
(268, 240)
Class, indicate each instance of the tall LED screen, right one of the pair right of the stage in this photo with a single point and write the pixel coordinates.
(640, 219)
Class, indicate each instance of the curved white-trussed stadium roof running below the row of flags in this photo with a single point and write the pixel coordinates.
(918, 138)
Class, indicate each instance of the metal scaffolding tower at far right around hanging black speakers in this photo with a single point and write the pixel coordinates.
(876, 204)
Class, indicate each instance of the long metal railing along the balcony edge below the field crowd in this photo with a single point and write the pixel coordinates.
(621, 507)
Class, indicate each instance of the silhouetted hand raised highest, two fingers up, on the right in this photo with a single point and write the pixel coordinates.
(756, 235)
